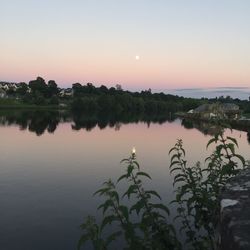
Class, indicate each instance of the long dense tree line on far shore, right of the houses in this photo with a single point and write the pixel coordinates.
(88, 98)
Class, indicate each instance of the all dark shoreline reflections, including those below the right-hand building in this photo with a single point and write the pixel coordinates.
(40, 121)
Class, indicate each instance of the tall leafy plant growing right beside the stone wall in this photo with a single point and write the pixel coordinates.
(197, 189)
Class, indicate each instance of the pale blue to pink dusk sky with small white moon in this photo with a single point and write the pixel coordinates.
(140, 44)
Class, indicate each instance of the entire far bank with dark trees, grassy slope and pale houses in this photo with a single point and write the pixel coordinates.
(89, 98)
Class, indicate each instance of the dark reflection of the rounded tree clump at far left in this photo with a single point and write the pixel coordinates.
(35, 121)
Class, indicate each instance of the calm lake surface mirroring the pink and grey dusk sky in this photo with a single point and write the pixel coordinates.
(50, 169)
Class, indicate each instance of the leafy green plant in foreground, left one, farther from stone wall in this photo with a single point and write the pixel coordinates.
(150, 230)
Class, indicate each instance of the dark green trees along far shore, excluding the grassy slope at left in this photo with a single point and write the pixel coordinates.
(115, 99)
